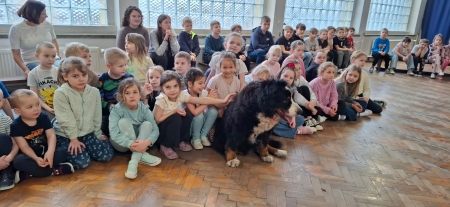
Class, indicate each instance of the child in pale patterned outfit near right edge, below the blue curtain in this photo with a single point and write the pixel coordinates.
(436, 55)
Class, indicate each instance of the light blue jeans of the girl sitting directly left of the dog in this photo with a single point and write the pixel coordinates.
(202, 123)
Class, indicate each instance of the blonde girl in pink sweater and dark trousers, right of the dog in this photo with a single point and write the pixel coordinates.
(325, 90)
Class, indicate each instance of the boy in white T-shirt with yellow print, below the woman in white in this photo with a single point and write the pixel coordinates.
(43, 79)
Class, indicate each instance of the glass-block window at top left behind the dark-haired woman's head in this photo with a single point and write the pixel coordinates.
(60, 12)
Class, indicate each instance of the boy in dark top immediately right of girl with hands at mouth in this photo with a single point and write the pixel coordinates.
(188, 40)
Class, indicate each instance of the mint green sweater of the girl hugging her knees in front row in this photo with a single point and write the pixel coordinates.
(141, 114)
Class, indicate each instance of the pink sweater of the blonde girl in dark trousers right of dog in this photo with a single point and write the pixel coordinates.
(326, 94)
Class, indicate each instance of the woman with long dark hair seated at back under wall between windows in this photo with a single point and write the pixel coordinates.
(132, 23)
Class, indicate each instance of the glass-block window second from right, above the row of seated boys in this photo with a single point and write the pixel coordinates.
(318, 14)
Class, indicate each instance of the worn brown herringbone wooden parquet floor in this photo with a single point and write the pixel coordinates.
(398, 158)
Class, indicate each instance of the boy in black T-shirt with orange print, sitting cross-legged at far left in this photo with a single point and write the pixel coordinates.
(33, 132)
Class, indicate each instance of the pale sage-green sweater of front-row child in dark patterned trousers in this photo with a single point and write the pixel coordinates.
(77, 114)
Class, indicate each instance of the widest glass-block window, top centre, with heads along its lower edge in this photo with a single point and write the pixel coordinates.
(247, 13)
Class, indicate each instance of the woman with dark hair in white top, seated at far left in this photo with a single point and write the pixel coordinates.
(26, 35)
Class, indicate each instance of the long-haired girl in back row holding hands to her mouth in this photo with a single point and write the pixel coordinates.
(163, 43)
